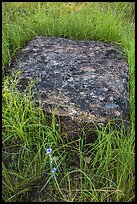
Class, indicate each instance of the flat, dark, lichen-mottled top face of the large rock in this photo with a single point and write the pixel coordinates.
(85, 80)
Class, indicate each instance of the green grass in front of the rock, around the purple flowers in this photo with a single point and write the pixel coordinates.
(83, 172)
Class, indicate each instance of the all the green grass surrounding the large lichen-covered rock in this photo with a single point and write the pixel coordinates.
(102, 171)
